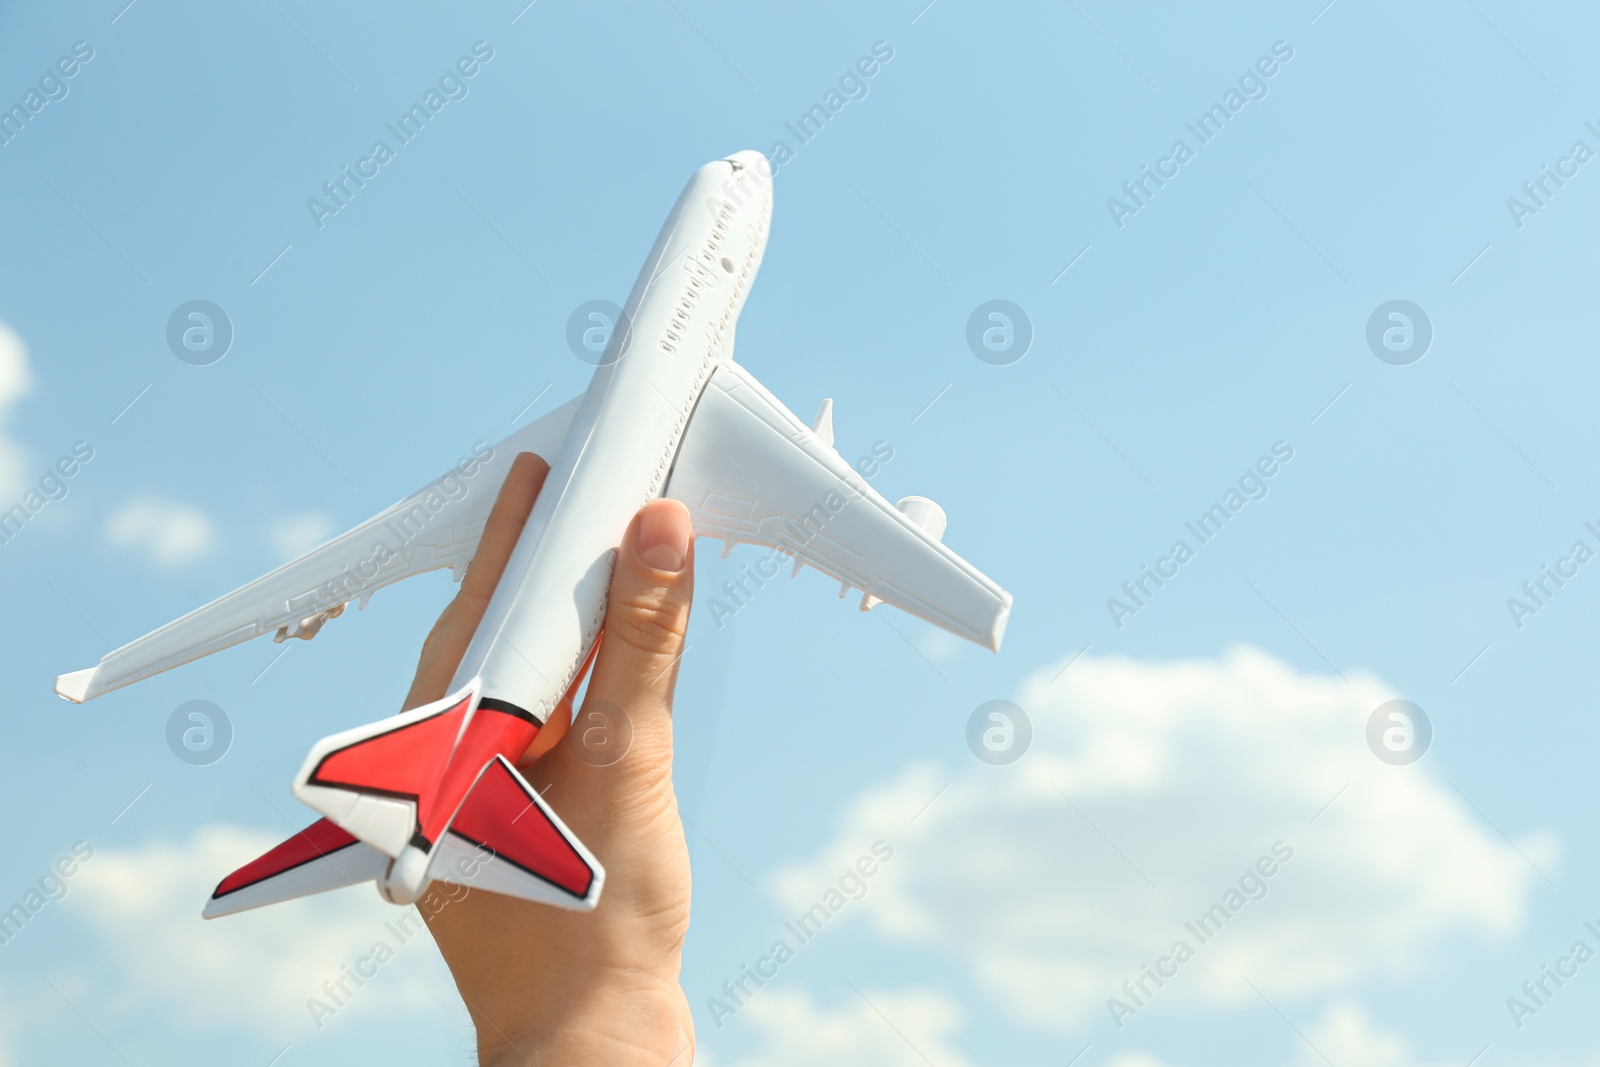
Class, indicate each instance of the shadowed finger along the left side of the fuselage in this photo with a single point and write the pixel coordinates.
(449, 641)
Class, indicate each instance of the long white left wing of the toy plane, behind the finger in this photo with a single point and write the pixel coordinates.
(436, 527)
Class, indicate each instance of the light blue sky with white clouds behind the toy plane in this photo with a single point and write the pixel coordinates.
(1170, 354)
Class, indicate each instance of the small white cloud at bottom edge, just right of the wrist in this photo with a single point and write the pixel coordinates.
(913, 1031)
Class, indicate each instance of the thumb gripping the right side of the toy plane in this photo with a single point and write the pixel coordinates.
(647, 620)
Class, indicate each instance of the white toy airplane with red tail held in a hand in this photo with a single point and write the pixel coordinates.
(436, 793)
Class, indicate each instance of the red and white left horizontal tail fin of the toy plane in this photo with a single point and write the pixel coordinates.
(319, 858)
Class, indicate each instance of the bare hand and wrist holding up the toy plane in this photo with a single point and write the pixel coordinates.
(548, 986)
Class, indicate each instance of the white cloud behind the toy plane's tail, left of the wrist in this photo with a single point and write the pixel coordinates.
(254, 970)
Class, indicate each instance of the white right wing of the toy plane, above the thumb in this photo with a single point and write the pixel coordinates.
(751, 473)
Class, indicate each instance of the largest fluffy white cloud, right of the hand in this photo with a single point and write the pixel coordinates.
(1180, 773)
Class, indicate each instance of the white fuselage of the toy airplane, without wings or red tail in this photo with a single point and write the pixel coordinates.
(678, 327)
